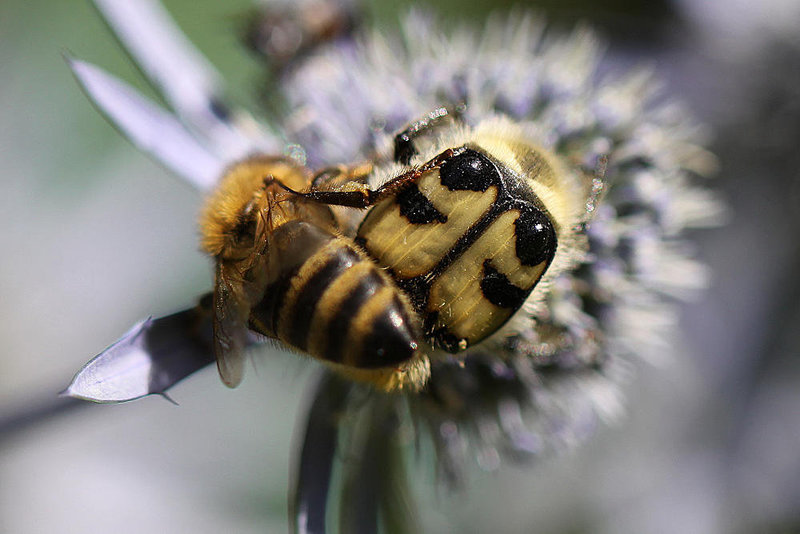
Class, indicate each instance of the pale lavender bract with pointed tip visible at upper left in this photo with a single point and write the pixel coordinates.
(148, 126)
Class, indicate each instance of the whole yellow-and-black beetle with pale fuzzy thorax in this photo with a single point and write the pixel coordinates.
(468, 220)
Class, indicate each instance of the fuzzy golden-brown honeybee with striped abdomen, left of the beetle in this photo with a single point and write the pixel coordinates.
(284, 270)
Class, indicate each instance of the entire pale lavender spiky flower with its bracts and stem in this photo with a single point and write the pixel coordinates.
(544, 381)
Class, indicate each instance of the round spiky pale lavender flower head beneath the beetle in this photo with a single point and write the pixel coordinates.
(560, 366)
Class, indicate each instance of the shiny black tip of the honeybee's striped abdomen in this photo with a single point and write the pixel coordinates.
(391, 341)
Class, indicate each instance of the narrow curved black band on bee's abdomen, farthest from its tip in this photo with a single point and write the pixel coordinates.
(312, 290)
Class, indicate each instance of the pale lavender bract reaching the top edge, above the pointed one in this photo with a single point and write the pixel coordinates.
(188, 82)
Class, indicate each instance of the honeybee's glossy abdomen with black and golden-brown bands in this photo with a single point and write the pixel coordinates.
(326, 298)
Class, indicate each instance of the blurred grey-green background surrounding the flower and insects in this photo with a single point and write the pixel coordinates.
(95, 237)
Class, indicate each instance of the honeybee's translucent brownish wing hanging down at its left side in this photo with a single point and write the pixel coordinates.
(231, 311)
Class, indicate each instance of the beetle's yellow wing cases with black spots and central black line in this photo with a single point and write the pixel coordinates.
(467, 241)
